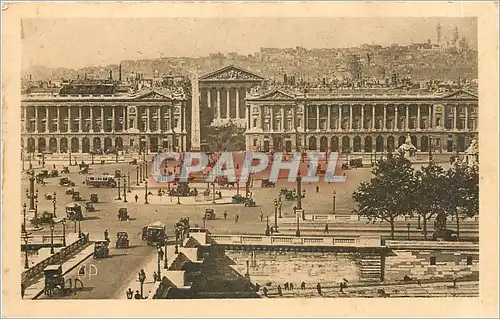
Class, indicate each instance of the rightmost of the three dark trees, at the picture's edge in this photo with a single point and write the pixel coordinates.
(462, 192)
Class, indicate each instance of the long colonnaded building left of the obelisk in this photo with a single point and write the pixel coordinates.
(84, 117)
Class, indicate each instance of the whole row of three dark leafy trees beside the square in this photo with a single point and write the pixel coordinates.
(397, 189)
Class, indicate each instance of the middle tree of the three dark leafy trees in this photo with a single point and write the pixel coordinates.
(430, 192)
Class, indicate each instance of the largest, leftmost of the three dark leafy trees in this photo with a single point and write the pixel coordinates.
(389, 193)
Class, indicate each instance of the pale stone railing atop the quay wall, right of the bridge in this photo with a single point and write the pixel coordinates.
(358, 241)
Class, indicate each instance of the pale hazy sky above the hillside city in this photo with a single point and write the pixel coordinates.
(76, 43)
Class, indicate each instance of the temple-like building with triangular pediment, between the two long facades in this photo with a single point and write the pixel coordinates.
(225, 91)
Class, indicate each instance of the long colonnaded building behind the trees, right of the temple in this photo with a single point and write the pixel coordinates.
(361, 122)
